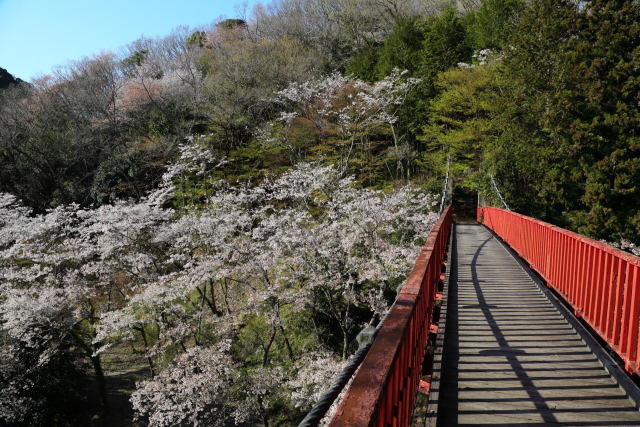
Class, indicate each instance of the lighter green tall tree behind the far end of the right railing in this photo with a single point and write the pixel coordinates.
(529, 166)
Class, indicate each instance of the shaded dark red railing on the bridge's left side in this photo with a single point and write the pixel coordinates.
(384, 388)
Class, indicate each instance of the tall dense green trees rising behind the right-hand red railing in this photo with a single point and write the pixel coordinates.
(568, 148)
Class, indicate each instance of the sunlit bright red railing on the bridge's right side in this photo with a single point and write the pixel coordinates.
(600, 282)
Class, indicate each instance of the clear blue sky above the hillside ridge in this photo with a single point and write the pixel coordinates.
(37, 35)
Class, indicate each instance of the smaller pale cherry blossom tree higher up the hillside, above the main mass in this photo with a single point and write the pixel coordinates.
(341, 107)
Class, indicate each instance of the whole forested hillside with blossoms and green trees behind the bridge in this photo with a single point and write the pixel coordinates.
(193, 230)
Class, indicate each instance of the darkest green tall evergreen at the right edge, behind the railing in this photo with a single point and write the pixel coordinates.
(603, 131)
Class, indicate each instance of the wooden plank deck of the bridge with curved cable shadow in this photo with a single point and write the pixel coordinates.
(508, 356)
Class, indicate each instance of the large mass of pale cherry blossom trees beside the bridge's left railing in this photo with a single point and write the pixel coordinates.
(231, 299)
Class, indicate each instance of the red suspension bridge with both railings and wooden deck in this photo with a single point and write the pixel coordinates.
(510, 321)
